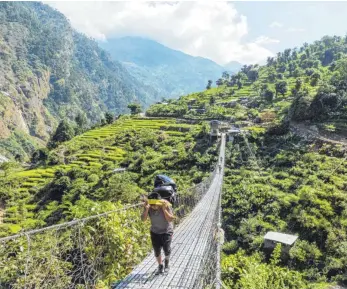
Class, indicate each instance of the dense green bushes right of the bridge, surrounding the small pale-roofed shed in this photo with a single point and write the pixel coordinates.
(283, 184)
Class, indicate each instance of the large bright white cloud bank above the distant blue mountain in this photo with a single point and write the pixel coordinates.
(209, 29)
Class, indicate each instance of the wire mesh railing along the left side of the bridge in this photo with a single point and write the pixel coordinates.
(91, 252)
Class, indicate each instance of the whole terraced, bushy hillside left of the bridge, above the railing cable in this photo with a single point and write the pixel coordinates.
(83, 167)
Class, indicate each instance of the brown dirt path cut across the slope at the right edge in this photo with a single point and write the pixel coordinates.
(310, 131)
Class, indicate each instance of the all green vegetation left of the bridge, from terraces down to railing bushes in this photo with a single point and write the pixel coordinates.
(77, 179)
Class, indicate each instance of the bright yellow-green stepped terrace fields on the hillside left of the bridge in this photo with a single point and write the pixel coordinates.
(95, 147)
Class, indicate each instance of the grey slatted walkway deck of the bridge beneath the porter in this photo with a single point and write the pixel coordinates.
(190, 242)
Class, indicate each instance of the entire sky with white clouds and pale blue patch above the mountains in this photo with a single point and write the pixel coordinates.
(247, 32)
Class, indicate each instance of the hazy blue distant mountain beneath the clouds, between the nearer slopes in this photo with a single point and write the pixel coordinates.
(170, 72)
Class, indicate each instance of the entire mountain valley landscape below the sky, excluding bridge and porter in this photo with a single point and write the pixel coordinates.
(74, 152)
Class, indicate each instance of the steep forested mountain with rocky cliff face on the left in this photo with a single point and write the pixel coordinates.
(49, 71)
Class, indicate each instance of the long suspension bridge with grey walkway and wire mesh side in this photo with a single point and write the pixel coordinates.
(57, 256)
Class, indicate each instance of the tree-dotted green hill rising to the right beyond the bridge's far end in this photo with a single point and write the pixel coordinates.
(300, 84)
